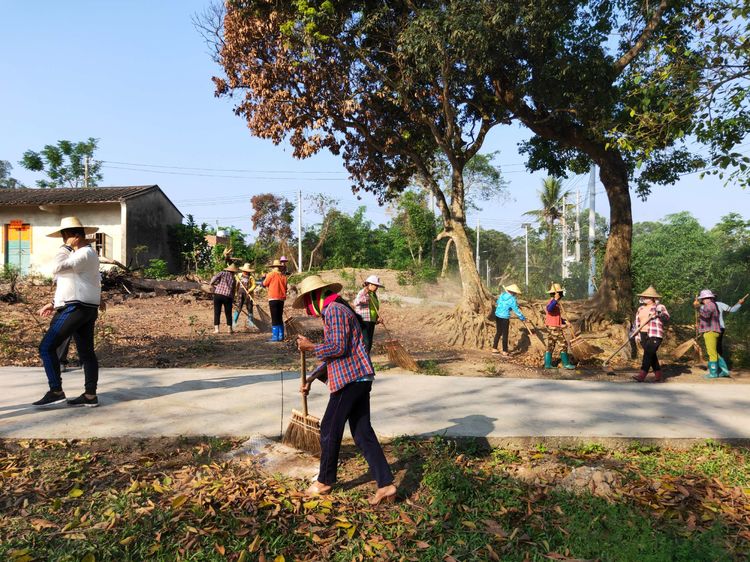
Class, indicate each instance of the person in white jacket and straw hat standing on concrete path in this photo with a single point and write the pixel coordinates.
(74, 312)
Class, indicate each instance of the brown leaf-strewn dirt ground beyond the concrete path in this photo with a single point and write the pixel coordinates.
(145, 330)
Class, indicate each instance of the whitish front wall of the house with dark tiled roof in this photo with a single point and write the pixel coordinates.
(106, 216)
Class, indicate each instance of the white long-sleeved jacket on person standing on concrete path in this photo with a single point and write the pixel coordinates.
(78, 279)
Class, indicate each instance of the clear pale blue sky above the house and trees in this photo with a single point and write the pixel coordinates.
(137, 76)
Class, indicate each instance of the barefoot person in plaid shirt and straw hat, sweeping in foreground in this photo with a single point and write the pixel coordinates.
(346, 367)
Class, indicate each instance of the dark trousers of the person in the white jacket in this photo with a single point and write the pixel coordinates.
(77, 321)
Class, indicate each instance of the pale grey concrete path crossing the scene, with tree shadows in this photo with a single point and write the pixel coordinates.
(170, 402)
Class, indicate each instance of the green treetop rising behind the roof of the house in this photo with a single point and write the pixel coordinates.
(64, 164)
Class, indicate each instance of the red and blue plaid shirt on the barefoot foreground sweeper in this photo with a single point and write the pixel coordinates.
(343, 350)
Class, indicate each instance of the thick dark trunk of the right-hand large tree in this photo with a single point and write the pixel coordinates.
(616, 287)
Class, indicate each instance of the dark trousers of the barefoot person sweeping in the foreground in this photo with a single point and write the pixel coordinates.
(352, 404)
